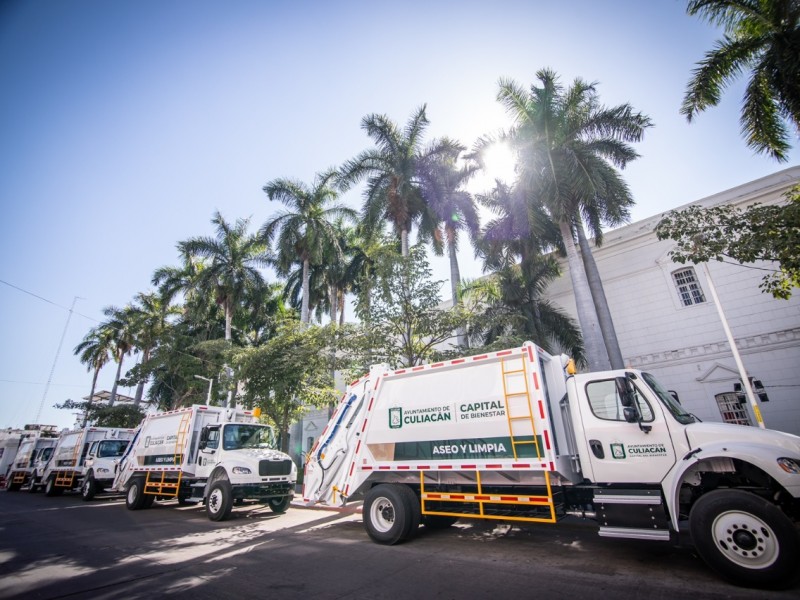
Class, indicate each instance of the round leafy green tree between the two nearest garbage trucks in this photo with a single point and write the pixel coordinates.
(286, 374)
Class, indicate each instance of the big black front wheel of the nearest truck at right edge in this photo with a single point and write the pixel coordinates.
(745, 538)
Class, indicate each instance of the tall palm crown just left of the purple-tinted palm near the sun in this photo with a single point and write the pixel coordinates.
(392, 171)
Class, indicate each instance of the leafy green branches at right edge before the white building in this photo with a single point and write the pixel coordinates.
(757, 233)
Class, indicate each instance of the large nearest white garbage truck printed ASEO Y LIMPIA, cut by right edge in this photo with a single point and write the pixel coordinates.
(515, 435)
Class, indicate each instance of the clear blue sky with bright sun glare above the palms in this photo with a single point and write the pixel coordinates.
(125, 125)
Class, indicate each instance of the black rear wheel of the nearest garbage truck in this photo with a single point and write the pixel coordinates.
(388, 515)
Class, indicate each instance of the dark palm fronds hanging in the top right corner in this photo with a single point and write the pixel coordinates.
(762, 38)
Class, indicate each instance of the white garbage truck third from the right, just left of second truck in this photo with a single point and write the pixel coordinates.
(85, 459)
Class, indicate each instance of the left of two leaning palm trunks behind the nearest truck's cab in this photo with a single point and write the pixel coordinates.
(596, 355)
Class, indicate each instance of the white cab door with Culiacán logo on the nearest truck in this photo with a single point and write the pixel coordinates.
(620, 451)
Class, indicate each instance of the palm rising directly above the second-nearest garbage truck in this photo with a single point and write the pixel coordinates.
(233, 258)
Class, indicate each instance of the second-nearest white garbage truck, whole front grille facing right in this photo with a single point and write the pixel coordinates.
(206, 454)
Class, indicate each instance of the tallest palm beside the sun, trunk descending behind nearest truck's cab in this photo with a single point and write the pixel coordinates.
(568, 146)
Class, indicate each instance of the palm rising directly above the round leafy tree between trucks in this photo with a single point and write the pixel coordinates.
(305, 230)
